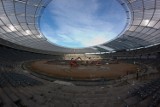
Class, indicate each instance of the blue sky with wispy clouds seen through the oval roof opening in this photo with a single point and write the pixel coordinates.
(82, 23)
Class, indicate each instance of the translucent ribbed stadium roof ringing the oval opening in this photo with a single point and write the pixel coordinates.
(19, 24)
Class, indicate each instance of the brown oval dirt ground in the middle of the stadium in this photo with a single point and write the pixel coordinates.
(109, 71)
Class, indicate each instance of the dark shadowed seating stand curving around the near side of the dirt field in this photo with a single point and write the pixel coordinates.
(19, 88)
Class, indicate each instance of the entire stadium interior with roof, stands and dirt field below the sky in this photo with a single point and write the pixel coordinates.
(123, 72)
